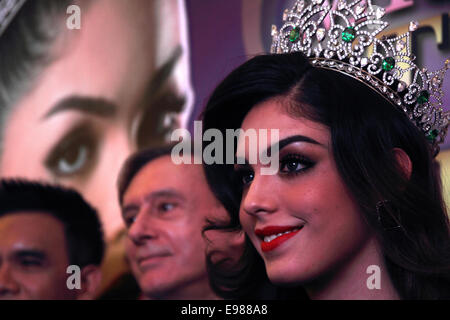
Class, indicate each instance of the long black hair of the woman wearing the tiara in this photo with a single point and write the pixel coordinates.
(365, 128)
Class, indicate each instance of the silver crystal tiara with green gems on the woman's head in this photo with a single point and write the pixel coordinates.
(344, 39)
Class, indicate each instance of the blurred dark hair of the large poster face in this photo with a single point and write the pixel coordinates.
(25, 48)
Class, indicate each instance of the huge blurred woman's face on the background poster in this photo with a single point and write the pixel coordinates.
(107, 93)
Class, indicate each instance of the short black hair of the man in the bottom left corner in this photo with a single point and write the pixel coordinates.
(81, 224)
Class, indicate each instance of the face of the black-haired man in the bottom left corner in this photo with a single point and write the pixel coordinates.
(33, 258)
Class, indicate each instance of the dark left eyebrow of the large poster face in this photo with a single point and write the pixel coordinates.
(95, 106)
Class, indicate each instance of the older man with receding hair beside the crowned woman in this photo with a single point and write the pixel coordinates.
(165, 206)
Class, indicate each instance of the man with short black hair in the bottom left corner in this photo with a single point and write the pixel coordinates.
(43, 230)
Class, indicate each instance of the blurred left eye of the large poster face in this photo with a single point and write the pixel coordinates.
(73, 155)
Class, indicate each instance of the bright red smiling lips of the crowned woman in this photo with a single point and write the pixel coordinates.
(273, 236)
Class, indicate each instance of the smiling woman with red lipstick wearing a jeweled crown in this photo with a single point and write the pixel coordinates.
(355, 210)
